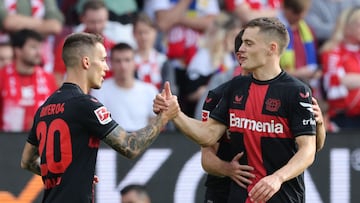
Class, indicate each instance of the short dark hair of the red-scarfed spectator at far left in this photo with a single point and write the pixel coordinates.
(19, 38)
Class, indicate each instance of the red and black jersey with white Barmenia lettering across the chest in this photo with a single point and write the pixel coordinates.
(264, 117)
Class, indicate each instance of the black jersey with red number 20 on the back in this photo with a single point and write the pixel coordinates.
(67, 129)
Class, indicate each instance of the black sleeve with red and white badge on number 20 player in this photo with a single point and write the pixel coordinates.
(97, 118)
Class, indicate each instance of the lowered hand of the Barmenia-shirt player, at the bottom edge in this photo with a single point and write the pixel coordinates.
(265, 188)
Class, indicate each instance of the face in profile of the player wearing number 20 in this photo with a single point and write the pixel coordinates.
(98, 66)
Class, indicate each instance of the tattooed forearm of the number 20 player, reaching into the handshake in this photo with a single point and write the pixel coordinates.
(131, 144)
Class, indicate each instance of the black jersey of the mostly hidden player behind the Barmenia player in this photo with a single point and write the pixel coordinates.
(219, 186)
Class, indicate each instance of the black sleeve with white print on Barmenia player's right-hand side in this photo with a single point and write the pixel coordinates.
(301, 118)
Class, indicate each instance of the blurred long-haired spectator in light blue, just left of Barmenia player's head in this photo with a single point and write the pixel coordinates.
(215, 56)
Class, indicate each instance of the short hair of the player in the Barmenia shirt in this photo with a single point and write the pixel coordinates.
(272, 27)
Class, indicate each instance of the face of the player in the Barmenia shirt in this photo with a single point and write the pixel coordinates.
(252, 52)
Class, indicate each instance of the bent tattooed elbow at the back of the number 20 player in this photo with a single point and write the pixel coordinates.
(30, 159)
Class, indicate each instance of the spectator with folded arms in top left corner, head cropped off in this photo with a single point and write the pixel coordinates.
(43, 16)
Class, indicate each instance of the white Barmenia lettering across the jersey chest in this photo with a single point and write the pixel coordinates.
(245, 123)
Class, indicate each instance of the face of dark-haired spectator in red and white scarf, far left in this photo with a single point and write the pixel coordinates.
(30, 53)
